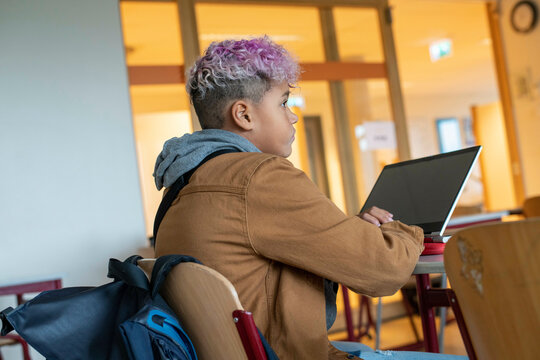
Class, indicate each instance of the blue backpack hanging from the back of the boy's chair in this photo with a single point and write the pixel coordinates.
(124, 319)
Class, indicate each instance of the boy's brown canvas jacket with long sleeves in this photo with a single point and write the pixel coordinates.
(265, 226)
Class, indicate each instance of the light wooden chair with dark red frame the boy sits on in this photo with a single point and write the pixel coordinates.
(210, 312)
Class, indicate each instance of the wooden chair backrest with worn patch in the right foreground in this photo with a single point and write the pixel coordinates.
(494, 271)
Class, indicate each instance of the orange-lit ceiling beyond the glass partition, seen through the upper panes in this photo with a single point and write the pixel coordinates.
(152, 37)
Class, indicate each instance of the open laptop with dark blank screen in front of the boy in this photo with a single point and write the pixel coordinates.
(424, 191)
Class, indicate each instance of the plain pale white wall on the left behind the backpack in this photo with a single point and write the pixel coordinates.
(69, 190)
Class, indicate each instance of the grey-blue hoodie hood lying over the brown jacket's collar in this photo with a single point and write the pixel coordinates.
(179, 155)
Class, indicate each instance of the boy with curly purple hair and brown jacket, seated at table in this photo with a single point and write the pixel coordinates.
(258, 220)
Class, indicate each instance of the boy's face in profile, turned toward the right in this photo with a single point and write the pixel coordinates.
(273, 130)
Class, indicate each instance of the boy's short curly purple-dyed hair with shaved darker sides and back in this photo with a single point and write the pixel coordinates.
(233, 70)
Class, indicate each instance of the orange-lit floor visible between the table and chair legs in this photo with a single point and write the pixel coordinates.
(399, 332)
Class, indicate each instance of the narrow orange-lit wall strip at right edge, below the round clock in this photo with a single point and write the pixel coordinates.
(523, 59)
